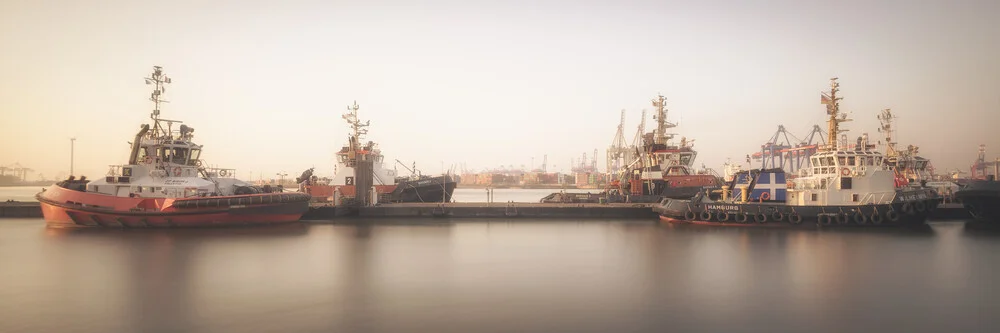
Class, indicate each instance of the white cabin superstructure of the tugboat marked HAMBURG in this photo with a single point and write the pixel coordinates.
(843, 177)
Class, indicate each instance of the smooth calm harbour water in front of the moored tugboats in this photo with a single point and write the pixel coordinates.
(497, 276)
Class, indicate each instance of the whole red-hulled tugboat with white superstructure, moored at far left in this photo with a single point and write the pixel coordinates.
(166, 184)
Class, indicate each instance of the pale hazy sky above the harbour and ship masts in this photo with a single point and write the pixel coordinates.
(264, 83)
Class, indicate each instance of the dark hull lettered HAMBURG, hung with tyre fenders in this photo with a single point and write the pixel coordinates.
(913, 210)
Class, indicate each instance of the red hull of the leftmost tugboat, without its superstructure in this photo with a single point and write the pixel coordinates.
(66, 208)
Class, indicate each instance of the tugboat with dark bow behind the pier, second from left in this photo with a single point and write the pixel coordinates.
(388, 185)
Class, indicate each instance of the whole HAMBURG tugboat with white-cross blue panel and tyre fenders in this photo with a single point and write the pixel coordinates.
(844, 186)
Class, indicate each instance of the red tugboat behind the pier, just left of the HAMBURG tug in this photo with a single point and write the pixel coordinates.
(660, 168)
